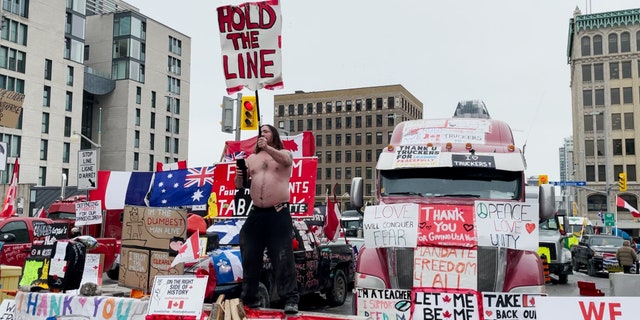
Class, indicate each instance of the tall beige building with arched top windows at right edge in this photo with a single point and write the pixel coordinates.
(604, 55)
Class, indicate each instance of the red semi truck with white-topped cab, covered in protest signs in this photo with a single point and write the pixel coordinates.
(448, 165)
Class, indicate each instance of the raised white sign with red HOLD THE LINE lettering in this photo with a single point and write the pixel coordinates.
(250, 40)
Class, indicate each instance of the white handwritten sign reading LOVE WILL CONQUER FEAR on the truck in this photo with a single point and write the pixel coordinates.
(391, 225)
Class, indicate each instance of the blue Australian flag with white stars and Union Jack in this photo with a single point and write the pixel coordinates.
(186, 187)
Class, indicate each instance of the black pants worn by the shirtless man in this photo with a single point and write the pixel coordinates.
(271, 229)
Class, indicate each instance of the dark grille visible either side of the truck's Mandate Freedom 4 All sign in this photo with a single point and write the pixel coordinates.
(491, 268)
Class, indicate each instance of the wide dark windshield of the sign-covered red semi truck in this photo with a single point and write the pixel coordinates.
(452, 182)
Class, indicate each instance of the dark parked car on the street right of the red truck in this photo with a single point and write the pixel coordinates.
(596, 253)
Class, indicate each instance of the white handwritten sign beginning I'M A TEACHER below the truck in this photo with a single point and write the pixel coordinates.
(384, 303)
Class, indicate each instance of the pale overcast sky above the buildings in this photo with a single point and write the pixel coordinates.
(511, 54)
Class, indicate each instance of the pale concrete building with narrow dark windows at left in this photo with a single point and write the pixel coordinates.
(99, 68)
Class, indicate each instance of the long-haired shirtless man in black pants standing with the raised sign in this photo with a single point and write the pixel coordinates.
(269, 223)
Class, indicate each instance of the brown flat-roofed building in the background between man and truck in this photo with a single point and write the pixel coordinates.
(351, 126)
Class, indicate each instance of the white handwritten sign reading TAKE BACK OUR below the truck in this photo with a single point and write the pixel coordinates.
(510, 306)
